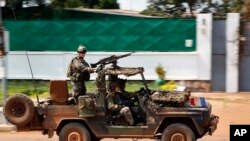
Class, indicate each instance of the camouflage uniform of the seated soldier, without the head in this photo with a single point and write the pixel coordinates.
(116, 105)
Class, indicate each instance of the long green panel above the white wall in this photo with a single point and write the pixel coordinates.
(163, 35)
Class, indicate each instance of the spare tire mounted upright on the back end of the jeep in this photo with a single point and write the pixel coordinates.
(19, 109)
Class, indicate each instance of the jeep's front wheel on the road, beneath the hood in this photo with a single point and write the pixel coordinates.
(178, 131)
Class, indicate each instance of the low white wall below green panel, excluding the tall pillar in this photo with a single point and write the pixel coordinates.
(53, 65)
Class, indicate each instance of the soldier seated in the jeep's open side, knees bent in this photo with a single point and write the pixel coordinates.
(116, 104)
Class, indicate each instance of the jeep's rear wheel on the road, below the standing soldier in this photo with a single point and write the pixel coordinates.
(74, 131)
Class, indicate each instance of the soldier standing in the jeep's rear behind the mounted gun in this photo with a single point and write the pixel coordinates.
(79, 72)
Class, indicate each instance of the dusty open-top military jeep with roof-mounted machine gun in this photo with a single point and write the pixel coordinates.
(166, 115)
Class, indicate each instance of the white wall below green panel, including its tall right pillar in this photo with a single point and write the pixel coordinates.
(179, 66)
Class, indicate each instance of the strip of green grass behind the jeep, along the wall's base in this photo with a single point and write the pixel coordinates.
(27, 87)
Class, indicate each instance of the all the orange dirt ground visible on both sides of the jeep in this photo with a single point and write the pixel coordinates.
(230, 110)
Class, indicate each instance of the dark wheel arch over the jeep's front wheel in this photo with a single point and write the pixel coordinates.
(189, 122)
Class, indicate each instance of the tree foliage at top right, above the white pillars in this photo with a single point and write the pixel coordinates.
(175, 8)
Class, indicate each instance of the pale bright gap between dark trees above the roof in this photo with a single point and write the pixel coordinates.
(134, 5)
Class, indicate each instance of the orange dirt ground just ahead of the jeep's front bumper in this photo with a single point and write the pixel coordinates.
(230, 112)
